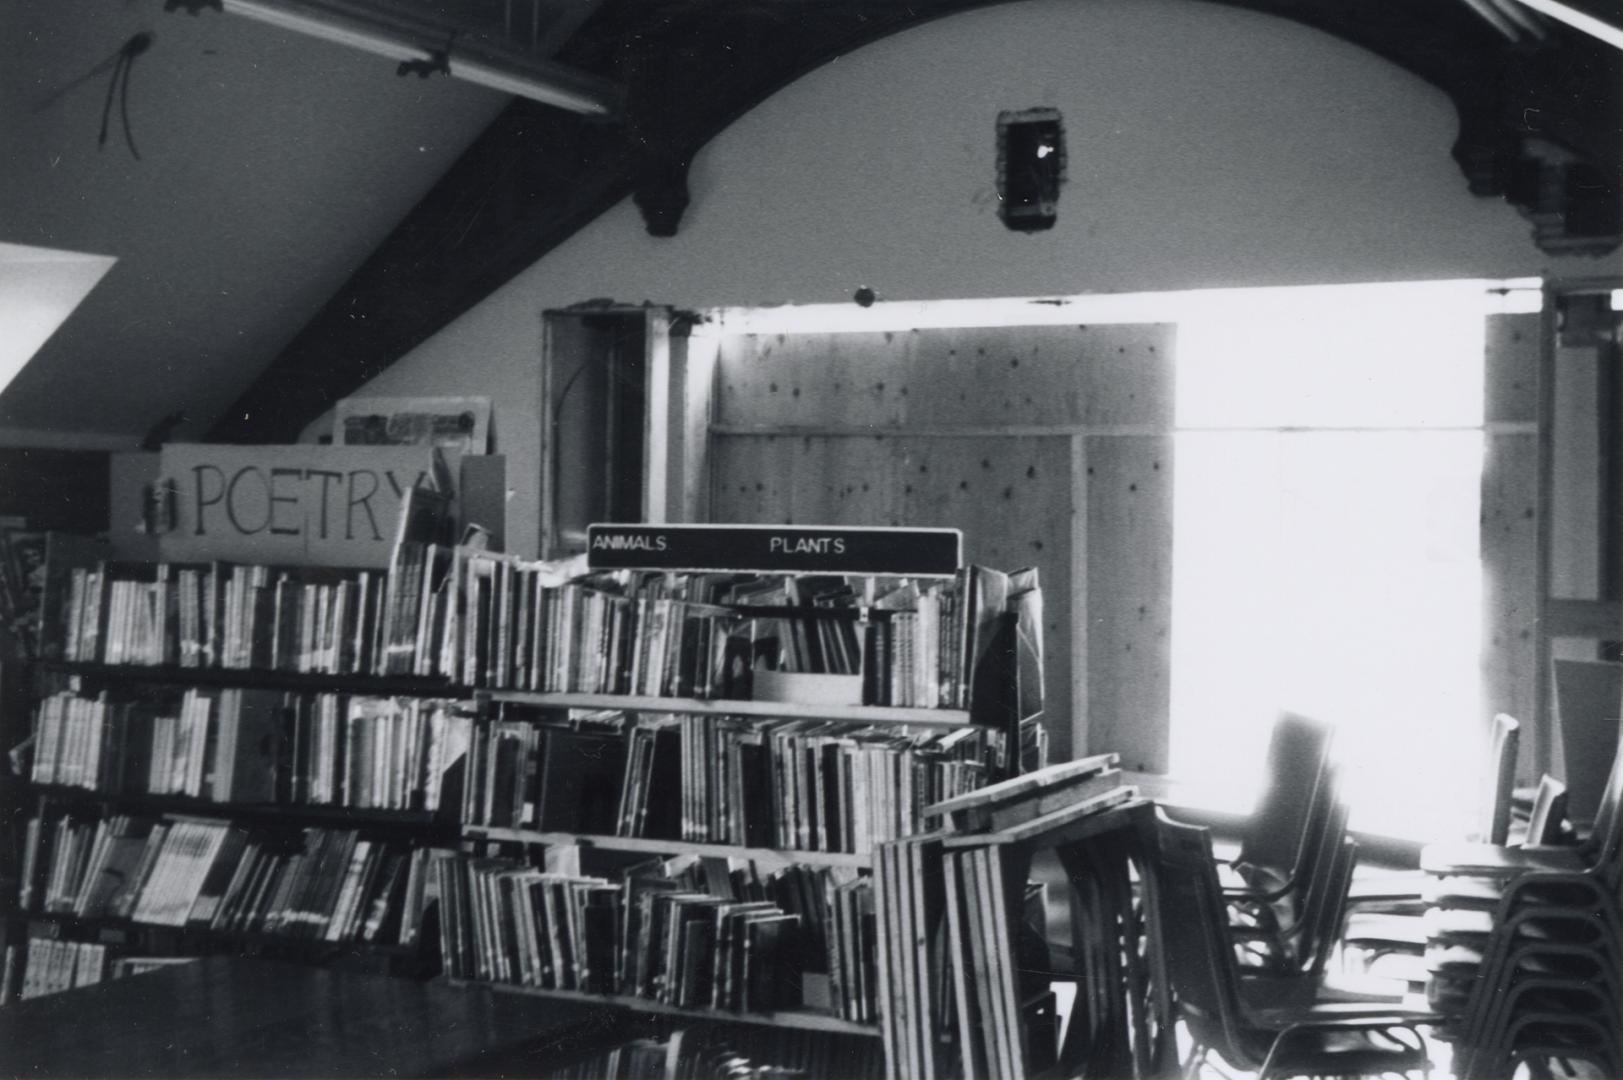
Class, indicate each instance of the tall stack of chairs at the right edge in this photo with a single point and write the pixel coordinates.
(1523, 946)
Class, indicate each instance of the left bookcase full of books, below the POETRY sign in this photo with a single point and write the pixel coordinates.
(170, 808)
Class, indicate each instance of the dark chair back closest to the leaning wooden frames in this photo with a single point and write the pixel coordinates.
(1200, 957)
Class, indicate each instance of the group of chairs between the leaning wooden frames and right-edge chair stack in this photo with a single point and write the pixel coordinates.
(1247, 956)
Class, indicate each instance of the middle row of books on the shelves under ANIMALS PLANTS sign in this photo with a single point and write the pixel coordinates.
(730, 780)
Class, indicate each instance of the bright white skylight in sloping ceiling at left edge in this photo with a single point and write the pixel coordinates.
(40, 288)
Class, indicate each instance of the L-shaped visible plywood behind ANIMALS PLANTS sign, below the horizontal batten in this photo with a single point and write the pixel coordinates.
(1009, 496)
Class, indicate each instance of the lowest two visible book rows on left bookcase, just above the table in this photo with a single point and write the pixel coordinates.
(105, 896)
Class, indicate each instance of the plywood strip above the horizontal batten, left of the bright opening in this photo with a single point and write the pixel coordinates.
(978, 378)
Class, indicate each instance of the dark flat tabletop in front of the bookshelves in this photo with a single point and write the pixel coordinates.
(233, 1017)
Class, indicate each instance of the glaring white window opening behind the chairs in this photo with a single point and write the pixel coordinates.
(1327, 553)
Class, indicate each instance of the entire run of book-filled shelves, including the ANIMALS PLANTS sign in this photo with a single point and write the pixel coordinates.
(558, 782)
